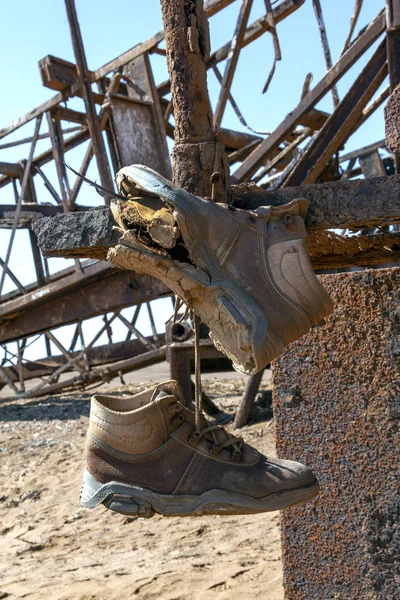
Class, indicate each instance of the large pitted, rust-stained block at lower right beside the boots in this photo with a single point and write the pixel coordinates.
(337, 408)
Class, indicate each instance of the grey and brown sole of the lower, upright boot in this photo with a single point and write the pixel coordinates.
(140, 502)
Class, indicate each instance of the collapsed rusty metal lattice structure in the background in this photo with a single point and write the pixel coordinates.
(127, 119)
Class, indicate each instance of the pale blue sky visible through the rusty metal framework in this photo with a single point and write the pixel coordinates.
(32, 30)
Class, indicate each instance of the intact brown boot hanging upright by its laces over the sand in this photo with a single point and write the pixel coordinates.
(144, 456)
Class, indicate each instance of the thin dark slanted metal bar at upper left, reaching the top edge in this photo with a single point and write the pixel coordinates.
(82, 68)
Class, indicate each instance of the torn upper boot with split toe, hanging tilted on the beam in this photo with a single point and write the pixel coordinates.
(247, 274)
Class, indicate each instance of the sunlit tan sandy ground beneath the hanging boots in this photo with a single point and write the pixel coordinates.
(50, 547)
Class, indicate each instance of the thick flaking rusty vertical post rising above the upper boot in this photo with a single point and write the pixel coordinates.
(196, 154)
